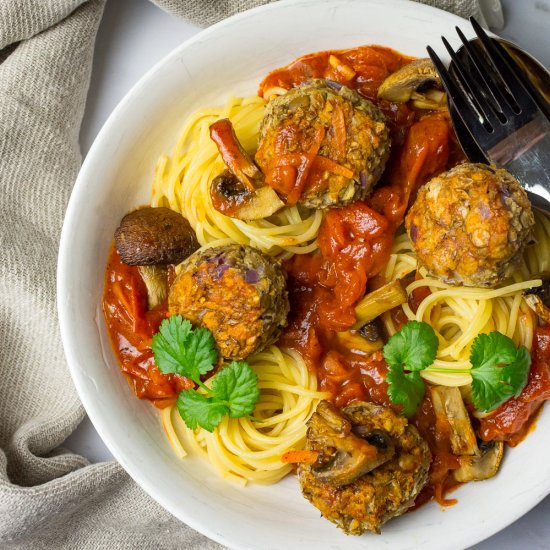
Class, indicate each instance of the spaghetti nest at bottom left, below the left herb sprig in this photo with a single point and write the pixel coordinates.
(243, 450)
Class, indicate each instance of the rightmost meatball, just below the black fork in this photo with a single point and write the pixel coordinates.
(470, 225)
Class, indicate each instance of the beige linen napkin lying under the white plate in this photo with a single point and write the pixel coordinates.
(50, 497)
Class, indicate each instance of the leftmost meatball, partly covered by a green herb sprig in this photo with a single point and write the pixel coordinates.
(236, 292)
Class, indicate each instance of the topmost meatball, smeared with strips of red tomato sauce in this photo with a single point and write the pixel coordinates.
(329, 142)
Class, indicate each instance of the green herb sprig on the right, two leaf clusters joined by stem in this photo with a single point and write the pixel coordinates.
(499, 370)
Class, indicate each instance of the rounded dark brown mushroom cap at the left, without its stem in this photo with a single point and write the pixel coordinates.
(155, 236)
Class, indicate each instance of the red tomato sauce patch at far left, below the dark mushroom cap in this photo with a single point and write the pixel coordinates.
(131, 326)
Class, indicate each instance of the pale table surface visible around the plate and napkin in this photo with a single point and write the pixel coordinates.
(134, 35)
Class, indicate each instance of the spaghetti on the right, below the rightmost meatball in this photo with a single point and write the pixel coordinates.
(459, 314)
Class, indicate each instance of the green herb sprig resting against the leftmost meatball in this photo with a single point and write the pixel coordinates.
(180, 349)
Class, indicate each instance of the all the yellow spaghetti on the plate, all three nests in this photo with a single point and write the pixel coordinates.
(249, 450)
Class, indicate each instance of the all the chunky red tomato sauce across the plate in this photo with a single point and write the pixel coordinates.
(354, 244)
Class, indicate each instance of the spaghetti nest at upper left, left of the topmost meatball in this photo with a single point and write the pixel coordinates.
(182, 183)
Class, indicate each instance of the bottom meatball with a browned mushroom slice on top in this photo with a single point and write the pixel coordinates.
(371, 465)
